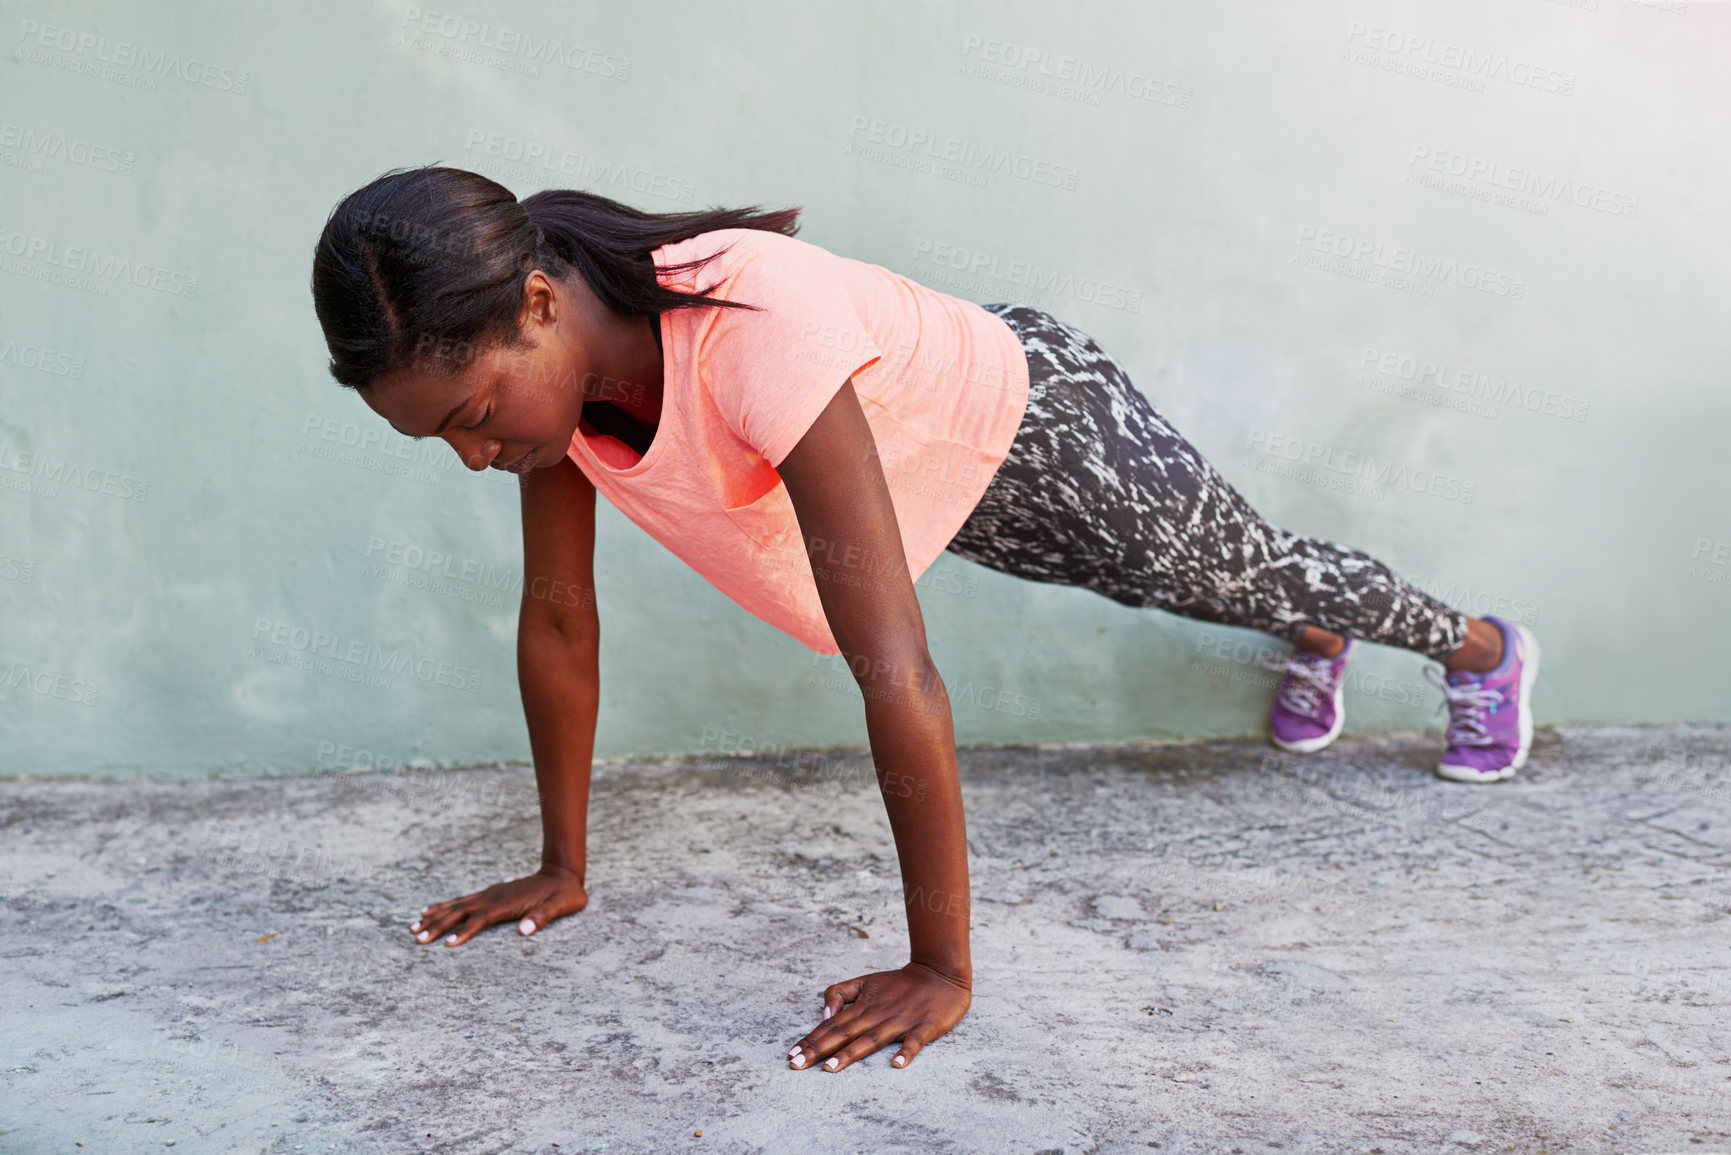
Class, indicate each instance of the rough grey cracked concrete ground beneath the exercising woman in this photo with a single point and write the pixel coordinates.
(1211, 948)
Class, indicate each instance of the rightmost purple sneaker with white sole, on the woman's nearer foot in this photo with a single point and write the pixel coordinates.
(1491, 714)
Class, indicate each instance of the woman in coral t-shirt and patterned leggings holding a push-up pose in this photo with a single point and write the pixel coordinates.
(809, 434)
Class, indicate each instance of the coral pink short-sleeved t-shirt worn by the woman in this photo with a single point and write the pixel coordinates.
(943, 384)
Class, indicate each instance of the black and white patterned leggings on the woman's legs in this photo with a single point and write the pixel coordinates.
(1098, 491)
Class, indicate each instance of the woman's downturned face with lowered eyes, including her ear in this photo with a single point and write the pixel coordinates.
(512, 406)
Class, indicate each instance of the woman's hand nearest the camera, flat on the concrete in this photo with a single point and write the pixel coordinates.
(913, 1005)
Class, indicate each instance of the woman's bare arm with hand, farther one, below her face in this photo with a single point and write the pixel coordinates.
(560, 676)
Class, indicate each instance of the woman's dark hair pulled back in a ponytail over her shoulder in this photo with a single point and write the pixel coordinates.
(427, 266)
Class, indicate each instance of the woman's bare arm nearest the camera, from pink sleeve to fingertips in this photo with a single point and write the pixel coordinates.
(856, 550)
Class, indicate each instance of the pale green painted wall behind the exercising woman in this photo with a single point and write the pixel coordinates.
(1221, 138)
